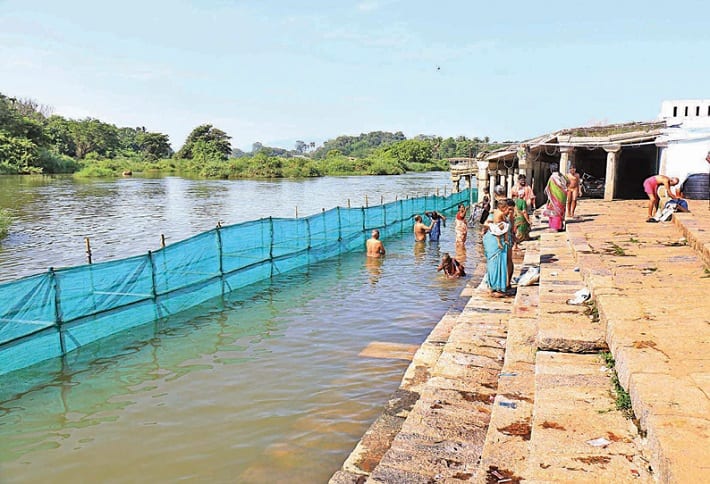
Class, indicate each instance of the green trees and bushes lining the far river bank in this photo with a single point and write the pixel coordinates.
(34, 140)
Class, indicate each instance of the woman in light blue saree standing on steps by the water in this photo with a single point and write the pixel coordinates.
(496, 245)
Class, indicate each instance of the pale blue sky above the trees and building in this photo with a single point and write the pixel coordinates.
(280, 71)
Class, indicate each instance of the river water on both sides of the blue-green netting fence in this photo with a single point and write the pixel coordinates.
(265, 385)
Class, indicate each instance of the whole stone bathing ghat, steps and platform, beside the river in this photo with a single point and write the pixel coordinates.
(513, 390)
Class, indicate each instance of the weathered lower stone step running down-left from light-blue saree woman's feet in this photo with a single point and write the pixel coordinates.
(442, 437)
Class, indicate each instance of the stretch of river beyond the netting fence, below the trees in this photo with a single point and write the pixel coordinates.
(52, 215)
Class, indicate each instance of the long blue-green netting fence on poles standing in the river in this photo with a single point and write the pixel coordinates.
(50, 314)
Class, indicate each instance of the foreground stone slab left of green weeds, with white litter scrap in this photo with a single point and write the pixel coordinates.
(577, 434)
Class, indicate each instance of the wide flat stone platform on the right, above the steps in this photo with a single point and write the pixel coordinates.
(654, 304)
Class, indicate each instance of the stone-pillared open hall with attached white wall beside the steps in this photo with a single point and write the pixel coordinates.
(622, 155)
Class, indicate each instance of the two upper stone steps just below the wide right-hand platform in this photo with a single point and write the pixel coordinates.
(566, 397)
